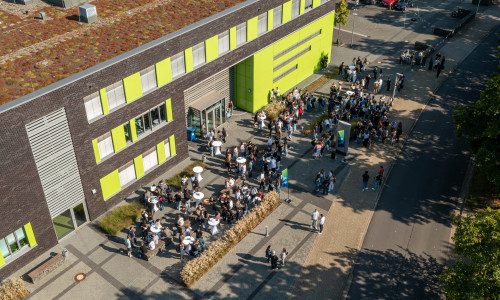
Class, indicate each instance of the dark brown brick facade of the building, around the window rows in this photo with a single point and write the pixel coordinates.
(22, 199)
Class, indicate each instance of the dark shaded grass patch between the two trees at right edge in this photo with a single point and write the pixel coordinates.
(482, 194)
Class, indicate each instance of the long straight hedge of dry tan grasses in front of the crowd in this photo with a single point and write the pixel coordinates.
(197, 267)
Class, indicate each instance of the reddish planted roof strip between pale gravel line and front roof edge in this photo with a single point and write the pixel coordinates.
(20, 76)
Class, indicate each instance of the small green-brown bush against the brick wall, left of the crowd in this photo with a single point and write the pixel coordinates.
(120, 218)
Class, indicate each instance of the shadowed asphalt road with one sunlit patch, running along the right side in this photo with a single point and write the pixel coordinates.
(407, 242)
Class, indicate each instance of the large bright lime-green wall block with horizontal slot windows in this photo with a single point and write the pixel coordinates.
(254, 76)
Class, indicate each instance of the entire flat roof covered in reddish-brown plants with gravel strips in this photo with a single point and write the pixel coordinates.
(36, 53)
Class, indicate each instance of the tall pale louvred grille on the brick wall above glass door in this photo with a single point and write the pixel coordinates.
(52, 148)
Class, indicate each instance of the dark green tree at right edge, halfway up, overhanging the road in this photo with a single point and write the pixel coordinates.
(480, 124)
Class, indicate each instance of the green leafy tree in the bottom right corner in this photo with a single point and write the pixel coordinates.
(476, 273)
